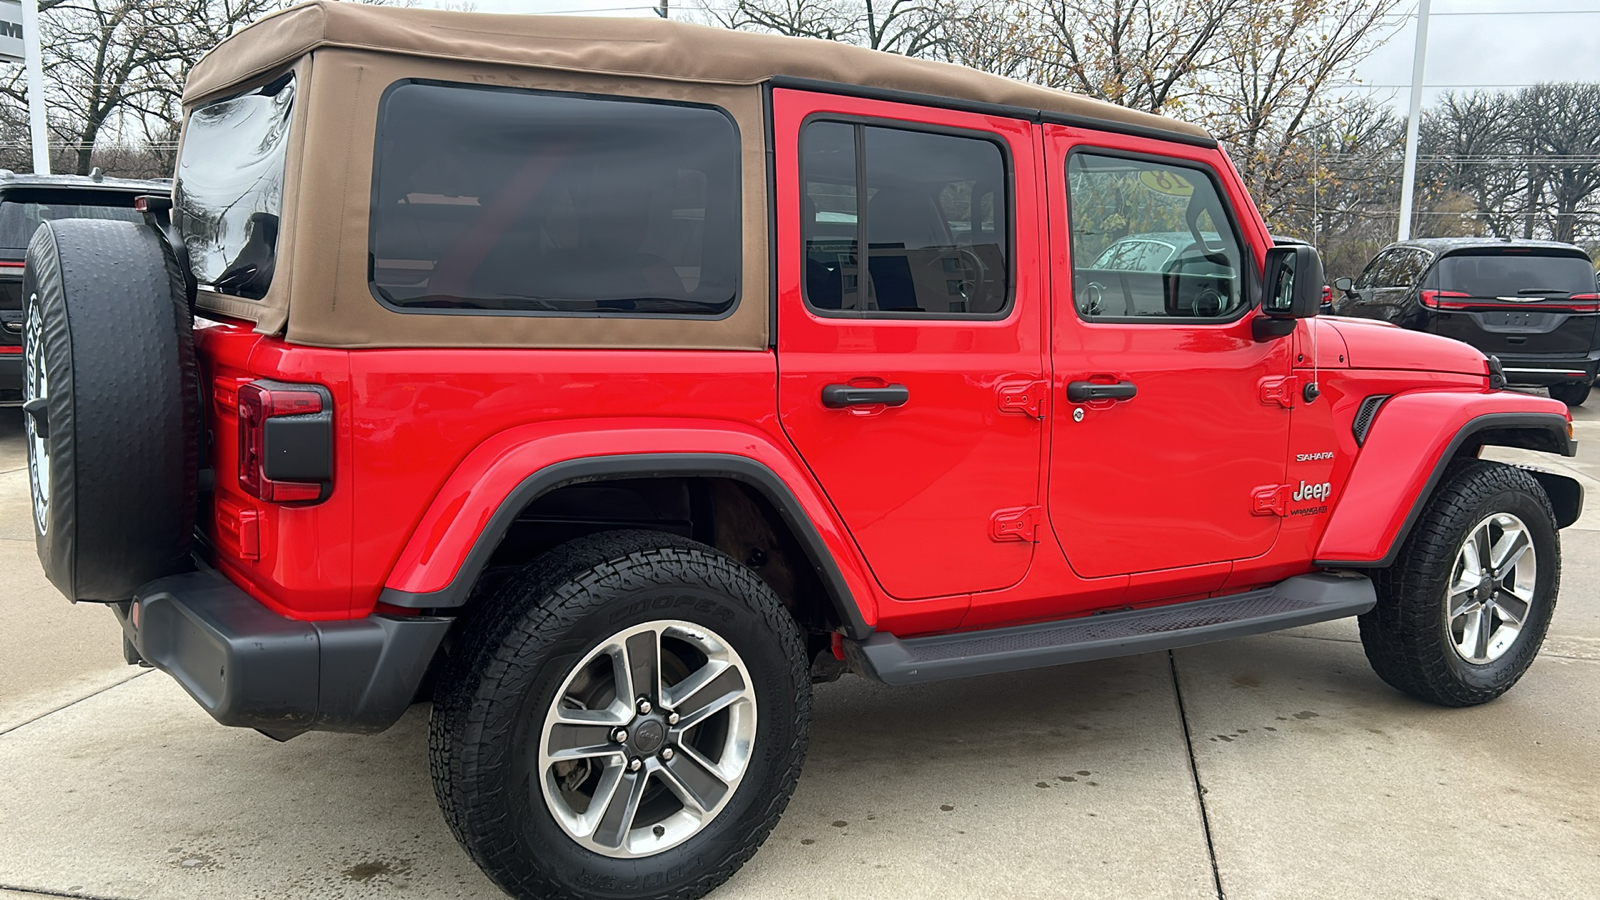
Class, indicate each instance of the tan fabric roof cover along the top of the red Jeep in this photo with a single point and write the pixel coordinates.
(631, 47)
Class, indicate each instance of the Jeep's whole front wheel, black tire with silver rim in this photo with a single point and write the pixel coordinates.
(1463, 611)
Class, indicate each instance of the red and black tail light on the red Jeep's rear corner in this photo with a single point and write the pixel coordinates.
(286, 441)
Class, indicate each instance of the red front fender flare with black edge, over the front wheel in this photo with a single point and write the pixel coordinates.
(1406, 456)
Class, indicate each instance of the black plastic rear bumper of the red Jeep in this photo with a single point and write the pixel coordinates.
(252, 667)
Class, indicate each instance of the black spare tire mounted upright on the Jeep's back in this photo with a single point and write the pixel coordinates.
(113, 408)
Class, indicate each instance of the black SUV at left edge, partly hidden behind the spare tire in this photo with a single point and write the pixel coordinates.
(28, 201)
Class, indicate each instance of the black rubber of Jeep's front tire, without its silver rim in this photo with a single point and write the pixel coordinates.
(1407, 637)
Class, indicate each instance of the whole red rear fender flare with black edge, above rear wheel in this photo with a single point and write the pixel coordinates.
(468, 518)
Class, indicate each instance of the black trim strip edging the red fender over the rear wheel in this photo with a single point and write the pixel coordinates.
(644, 467)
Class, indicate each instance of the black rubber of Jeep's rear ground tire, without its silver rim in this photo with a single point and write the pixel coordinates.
(519, 645)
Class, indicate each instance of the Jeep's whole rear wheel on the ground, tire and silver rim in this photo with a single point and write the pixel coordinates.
(623, 720)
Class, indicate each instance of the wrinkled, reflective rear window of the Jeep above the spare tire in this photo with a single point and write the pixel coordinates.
(230, 188)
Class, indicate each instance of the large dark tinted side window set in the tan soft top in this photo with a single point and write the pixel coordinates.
(502, 201)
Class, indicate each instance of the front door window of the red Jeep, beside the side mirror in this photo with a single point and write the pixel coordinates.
(1151, 241)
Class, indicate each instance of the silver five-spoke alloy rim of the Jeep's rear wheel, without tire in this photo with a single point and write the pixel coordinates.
(647, 739)
